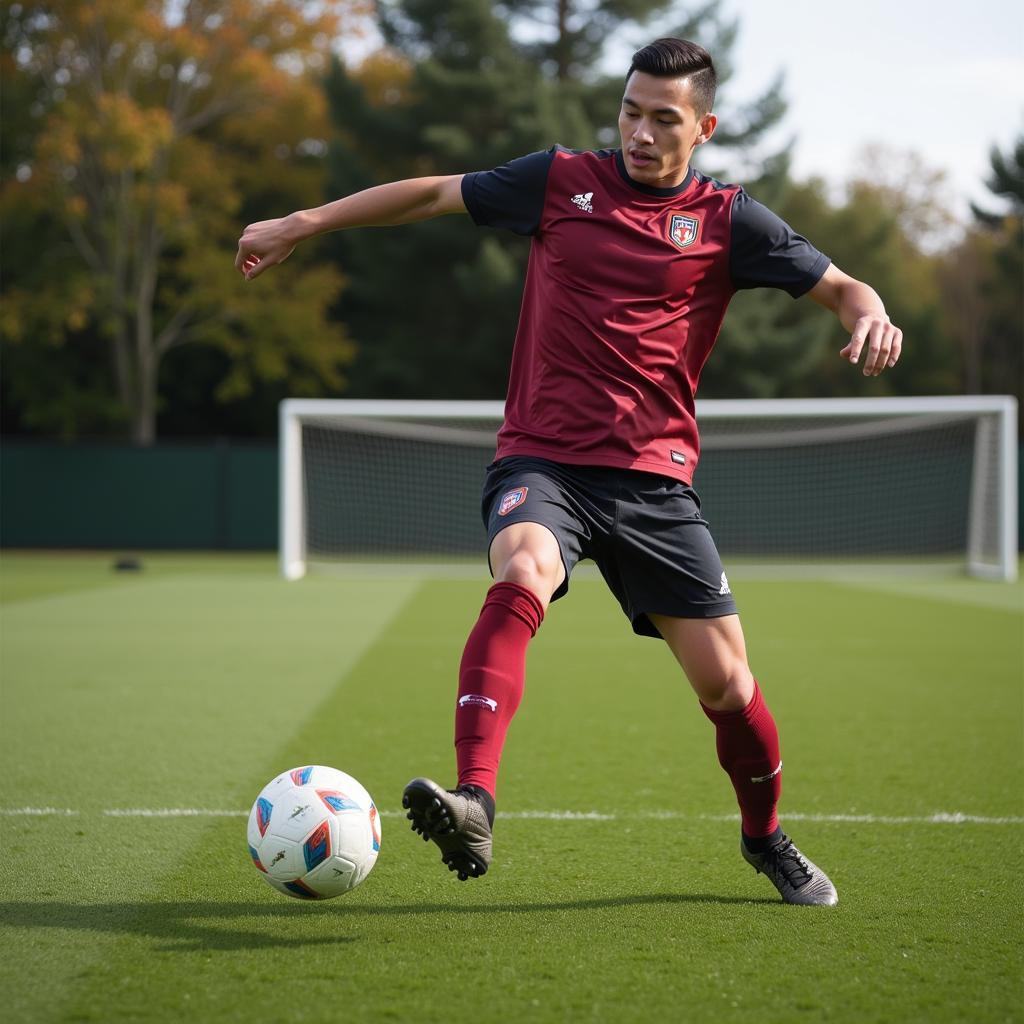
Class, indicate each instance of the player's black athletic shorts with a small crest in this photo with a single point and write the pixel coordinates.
(644, 531)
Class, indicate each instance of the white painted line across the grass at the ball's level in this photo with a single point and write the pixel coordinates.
(938, 819)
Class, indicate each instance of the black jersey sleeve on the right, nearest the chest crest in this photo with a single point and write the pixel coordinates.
(766, 252)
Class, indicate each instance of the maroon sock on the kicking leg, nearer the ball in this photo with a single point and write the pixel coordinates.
(491, 680)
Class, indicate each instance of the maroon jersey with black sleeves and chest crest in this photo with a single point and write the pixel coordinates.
(625, 294)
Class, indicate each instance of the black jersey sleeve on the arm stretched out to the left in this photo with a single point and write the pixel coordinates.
(511, 196)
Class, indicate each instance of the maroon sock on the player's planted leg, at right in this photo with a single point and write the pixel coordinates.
(748, 750)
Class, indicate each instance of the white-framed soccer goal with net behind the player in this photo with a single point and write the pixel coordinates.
(927, 480)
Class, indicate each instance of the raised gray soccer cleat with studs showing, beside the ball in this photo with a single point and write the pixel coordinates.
(455, 821)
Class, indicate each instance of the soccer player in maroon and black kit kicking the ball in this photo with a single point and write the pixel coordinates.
(634, 260)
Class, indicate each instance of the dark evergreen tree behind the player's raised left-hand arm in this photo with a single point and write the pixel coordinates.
(433, 308)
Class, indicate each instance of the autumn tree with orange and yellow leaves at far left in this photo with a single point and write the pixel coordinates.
(153, 131)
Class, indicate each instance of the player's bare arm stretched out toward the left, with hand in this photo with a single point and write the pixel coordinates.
(271, 242)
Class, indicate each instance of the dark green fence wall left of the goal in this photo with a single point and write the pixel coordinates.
(221, 495)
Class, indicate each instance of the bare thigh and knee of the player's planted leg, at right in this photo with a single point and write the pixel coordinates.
(713, 654)
